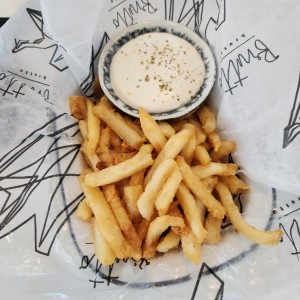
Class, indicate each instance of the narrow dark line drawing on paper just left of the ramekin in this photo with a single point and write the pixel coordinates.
(87, 84)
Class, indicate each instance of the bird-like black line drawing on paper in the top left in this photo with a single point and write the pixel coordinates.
(42, 41)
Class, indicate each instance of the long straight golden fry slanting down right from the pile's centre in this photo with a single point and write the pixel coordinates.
(198, 189)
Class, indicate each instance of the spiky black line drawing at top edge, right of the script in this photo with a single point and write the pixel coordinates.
(194, 13)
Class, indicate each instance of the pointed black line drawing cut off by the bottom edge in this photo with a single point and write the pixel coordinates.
(218, 284)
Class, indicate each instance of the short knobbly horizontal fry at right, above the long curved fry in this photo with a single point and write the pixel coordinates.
(215, 169)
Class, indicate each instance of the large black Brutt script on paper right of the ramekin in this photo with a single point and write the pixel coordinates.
(231, 75)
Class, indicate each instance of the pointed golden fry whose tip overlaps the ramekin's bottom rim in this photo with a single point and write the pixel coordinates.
(151, 130)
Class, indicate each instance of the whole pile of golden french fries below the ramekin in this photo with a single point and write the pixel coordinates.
(152, 186)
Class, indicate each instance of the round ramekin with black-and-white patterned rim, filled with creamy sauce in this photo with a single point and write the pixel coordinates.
(160, 65)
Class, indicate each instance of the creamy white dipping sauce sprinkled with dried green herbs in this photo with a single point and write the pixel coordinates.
(158, 71)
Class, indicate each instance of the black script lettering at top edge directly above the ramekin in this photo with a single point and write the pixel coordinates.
(126, 15)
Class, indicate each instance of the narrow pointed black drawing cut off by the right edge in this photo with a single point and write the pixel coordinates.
(293, 128)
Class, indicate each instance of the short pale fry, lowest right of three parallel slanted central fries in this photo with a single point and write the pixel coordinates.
(167, 192)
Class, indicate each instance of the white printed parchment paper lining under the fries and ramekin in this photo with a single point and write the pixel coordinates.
(48, 51)
